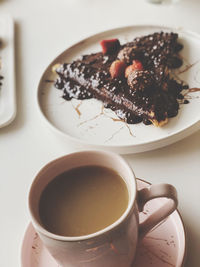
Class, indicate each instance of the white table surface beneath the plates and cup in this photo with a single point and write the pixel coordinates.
(44, 28)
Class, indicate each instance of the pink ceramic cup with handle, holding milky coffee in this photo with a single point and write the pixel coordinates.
(115, 245)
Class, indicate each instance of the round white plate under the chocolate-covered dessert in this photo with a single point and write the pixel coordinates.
(85, 122)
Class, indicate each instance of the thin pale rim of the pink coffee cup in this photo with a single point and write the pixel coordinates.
(110, 227)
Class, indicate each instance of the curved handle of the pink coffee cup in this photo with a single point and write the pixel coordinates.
(151, 192)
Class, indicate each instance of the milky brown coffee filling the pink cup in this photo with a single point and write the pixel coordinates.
(83, 200)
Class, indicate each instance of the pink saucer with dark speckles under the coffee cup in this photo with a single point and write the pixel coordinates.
(164, 246)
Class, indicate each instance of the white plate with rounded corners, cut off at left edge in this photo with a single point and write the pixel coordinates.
(7, 91)
